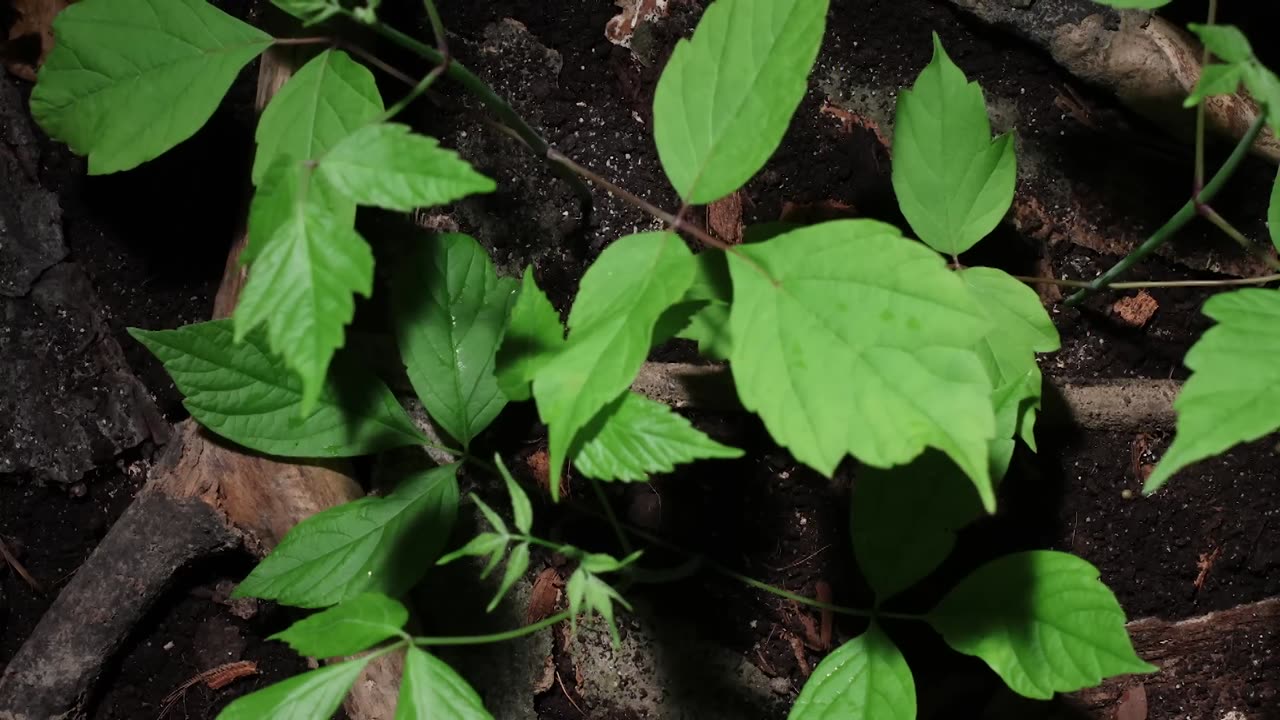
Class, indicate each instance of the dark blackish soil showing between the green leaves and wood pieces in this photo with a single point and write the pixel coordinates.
(154, 243)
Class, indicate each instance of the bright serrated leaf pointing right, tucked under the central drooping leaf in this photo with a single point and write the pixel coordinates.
(634, 438)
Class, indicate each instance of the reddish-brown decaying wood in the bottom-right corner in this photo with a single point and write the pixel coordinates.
(1226, 658)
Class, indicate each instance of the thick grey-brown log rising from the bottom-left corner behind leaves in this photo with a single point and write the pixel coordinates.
(204, 496)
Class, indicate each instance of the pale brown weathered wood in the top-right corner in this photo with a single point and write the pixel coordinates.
(1148, 62)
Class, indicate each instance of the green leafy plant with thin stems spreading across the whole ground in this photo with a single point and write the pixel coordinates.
(848, 339)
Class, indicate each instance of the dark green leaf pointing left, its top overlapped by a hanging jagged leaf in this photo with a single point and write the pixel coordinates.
(244, 394)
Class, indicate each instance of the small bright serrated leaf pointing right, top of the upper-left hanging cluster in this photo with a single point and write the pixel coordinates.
(390, 167)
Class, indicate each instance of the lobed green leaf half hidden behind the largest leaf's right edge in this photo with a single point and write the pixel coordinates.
(1020, 330)
